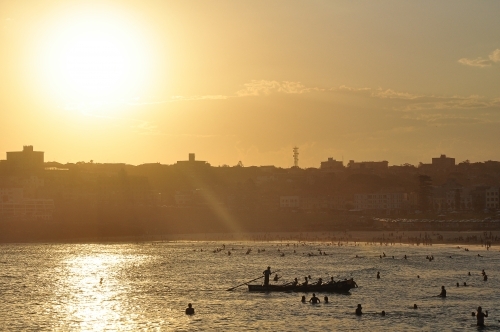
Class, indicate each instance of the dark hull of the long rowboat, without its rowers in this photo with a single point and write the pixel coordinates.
(339, 287)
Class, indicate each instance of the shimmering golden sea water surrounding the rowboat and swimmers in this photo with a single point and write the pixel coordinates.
(146, 286)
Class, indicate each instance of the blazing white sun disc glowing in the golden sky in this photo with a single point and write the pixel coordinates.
(93, 58)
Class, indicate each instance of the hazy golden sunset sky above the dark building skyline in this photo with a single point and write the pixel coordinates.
(151, 81)
